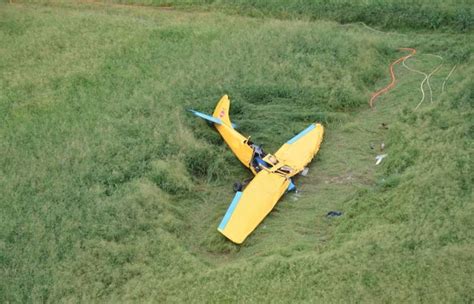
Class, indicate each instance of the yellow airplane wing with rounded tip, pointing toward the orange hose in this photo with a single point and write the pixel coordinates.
(301, 149)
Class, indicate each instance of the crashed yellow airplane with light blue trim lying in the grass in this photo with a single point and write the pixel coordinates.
(273, 173)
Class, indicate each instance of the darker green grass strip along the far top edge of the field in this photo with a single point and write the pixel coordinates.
(453, 15)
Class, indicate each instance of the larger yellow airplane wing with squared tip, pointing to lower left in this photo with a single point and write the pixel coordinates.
(249, 208)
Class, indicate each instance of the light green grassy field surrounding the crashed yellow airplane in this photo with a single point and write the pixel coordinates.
(111, 192)
